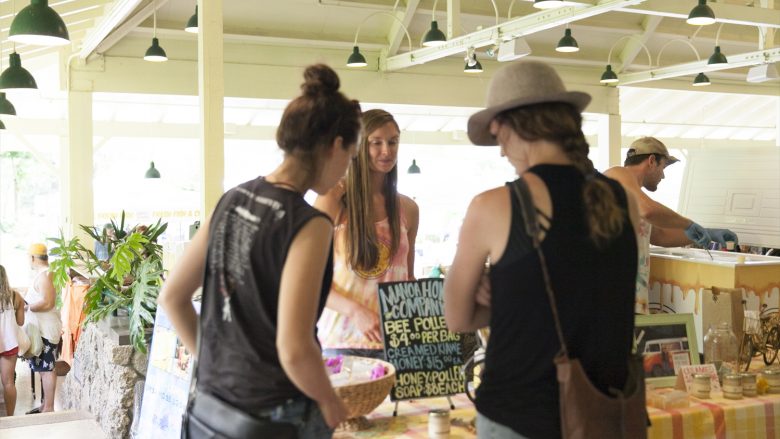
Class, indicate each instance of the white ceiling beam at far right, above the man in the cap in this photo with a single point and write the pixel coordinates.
(693, 68)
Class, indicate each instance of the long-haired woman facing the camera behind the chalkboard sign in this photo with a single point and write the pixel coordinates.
(374, 239)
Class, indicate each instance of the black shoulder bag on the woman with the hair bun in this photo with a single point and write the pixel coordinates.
(208, 417)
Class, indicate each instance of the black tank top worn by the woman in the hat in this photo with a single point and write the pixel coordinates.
(594, 290)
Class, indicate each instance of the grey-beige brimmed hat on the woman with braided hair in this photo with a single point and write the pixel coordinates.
(518, 84)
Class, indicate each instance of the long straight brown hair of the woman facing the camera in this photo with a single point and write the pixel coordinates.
(361, 240)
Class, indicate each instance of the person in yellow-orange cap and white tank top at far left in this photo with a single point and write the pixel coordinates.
(41, 299)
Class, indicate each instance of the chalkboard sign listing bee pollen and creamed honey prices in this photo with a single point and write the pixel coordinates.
(426, 355)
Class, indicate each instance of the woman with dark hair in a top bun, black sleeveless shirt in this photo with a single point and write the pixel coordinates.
(264, 260)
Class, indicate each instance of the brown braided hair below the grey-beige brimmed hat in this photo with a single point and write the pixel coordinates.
(561, 123)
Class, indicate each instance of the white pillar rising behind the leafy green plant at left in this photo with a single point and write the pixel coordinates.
(77, 169)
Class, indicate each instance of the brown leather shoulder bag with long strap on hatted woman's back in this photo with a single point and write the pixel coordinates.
(586, 412)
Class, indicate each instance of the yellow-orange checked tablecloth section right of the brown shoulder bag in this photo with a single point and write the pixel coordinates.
(719, 418)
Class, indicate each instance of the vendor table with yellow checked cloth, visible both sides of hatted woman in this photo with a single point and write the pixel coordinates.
(718, 418)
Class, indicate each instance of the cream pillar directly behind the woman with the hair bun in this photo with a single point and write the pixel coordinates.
(211, 89)
